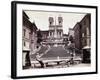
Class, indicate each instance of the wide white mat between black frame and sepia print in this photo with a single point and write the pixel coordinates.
(36, 72)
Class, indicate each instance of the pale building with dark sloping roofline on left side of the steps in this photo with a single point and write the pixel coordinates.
(28, 40)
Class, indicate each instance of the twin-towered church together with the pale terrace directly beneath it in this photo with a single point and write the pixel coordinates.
(55, 35)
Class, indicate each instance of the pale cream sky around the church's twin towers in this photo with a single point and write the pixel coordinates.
(41, 19)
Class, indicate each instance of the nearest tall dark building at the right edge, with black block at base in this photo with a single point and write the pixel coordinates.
(86, 38)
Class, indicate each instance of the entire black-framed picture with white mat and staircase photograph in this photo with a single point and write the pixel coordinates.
(53, 39)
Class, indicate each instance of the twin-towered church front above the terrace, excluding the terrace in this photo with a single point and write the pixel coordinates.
(55, 28)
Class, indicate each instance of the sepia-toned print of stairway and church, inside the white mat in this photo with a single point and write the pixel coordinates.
(56, 39)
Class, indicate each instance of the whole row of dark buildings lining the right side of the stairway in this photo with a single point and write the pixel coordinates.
(82, 37)
